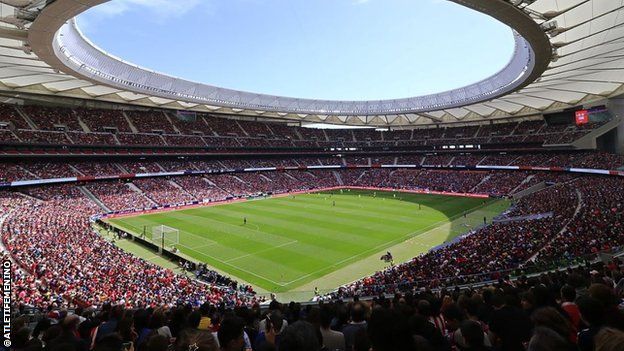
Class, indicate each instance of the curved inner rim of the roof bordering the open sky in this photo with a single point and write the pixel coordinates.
(55, 39)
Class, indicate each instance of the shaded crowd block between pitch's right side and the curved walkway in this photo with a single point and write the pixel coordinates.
(477, 257)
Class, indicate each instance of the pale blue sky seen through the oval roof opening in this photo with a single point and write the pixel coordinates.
(323, 49)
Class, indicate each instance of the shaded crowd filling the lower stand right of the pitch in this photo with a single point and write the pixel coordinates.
(584, 218)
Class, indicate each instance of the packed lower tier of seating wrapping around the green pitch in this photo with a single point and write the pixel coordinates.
(56, 247)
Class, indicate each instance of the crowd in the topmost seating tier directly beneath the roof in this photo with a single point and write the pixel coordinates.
(53, 125)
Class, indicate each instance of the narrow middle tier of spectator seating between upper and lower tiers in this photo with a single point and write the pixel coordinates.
(12, 171)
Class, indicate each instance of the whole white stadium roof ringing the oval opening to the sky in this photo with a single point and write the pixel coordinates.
(567, 52)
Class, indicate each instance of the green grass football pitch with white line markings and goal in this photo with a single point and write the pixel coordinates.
(290, 241)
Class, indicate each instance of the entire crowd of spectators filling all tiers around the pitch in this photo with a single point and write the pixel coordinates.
(61, 262)
